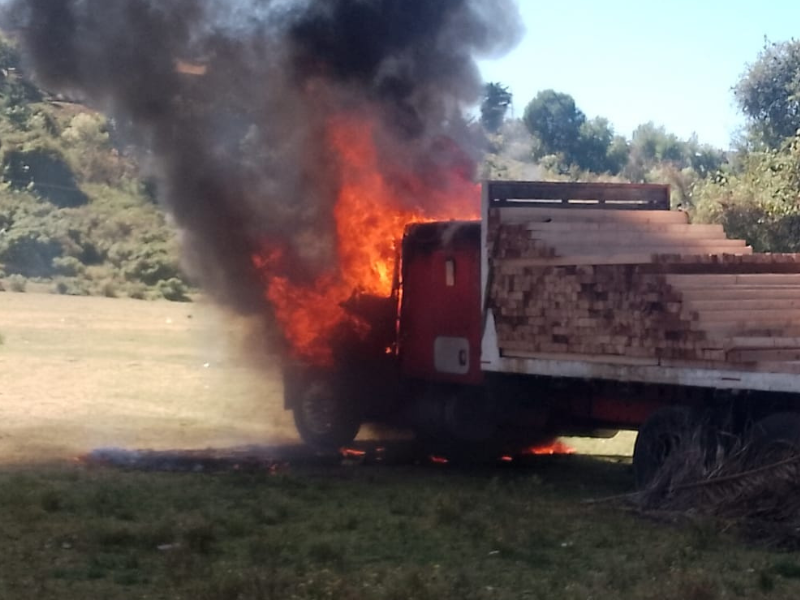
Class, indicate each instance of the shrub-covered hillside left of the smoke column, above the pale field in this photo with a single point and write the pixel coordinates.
(76, 211)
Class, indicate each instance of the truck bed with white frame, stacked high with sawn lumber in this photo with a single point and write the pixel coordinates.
(622, 288)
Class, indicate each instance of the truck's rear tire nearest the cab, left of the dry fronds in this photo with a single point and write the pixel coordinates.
(661, 436)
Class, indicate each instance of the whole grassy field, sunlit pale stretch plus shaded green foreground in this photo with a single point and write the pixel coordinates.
(78, 373)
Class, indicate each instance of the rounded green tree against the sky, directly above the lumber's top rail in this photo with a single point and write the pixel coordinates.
(554, 120)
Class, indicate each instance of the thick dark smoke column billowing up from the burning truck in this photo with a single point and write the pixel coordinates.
(239, 150)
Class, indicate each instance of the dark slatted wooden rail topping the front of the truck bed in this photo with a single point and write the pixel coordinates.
(651, 195)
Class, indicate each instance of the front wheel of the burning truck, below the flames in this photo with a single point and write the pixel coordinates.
(323, 420)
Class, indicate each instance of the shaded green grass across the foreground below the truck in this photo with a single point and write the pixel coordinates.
(363, 532)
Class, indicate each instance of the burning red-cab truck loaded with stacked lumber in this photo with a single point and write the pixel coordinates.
(565, 309)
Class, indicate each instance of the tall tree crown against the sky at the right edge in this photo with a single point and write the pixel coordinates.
(769, 93)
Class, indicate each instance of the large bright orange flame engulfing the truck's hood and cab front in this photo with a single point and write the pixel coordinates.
(370, 217)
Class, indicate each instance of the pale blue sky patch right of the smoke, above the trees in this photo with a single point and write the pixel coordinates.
(673, 63)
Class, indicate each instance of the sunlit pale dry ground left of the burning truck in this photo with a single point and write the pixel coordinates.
(80, 373)
